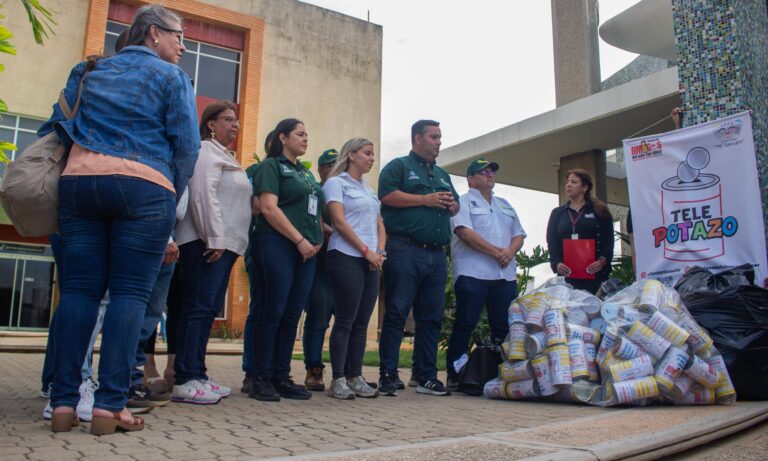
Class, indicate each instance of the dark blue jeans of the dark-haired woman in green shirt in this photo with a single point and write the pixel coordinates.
(284, 281)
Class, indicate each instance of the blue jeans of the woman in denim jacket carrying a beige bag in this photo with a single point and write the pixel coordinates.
(114, 231)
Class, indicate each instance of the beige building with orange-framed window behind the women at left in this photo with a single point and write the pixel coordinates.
(274, 58)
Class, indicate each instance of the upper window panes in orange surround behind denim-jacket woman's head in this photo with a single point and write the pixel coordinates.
(214, 70)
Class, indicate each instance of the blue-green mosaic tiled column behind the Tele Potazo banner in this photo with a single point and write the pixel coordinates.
(722, 48)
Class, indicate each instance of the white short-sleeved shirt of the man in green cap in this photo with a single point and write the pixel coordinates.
(497, 223)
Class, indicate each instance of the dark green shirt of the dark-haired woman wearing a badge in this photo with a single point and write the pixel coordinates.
(293, 185)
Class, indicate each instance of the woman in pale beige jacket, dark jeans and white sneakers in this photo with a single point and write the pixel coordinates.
(211, 237)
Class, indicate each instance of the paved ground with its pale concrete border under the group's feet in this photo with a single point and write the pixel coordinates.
(409, 426)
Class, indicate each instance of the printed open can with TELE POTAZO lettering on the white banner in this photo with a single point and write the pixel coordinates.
(693, 202)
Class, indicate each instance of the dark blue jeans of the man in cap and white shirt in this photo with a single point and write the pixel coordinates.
(471, 295)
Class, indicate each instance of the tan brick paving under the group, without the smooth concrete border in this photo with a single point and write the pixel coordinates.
(240, 428)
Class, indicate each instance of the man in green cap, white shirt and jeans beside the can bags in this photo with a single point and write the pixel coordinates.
(486, 236)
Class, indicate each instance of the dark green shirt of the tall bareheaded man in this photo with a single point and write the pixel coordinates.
(412, 175)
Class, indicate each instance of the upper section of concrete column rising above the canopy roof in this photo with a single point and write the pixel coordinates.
(574, 40)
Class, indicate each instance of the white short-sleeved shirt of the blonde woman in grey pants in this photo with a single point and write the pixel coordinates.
(361, 210)
